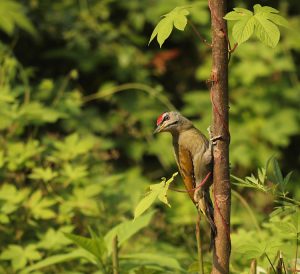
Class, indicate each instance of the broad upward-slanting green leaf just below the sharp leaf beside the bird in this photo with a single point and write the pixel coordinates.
(127, 229)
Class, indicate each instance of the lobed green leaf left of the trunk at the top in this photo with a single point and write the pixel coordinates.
(177, 18)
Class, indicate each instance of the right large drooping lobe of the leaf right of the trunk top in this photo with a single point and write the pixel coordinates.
(266, 31)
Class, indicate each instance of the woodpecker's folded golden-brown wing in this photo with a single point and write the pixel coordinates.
(186, 168)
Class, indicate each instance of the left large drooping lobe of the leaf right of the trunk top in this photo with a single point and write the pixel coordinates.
(243, 29)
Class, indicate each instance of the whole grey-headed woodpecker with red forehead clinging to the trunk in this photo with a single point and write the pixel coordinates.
(193, 154)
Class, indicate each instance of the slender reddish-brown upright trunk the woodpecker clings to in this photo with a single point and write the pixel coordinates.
(219, 96)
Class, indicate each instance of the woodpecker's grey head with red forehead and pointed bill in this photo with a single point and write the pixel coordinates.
(171, 122)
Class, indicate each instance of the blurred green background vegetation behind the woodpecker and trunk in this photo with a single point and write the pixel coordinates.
(80, 91)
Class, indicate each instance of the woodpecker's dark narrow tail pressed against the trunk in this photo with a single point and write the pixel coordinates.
(206, 206)
